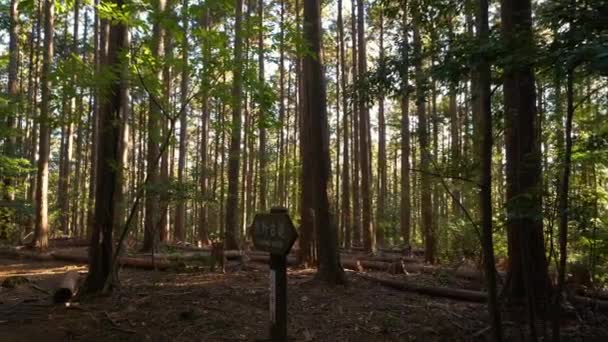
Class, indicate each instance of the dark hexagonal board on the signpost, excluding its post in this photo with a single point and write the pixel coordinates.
(273, 233)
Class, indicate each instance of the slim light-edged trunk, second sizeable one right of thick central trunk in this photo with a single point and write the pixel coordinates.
(382, 160)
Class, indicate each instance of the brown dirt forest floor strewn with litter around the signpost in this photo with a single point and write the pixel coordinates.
(203, 306)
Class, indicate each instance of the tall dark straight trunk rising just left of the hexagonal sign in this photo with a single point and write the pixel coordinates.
(231, 238)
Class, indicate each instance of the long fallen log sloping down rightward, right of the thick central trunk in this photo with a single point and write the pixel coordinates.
(459, 294)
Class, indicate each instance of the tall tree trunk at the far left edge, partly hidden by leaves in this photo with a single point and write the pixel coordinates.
(13, 93)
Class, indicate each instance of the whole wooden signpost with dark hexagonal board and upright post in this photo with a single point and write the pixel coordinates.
(274, 233)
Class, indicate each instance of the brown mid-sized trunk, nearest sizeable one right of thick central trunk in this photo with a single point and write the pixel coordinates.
(369, 239)
